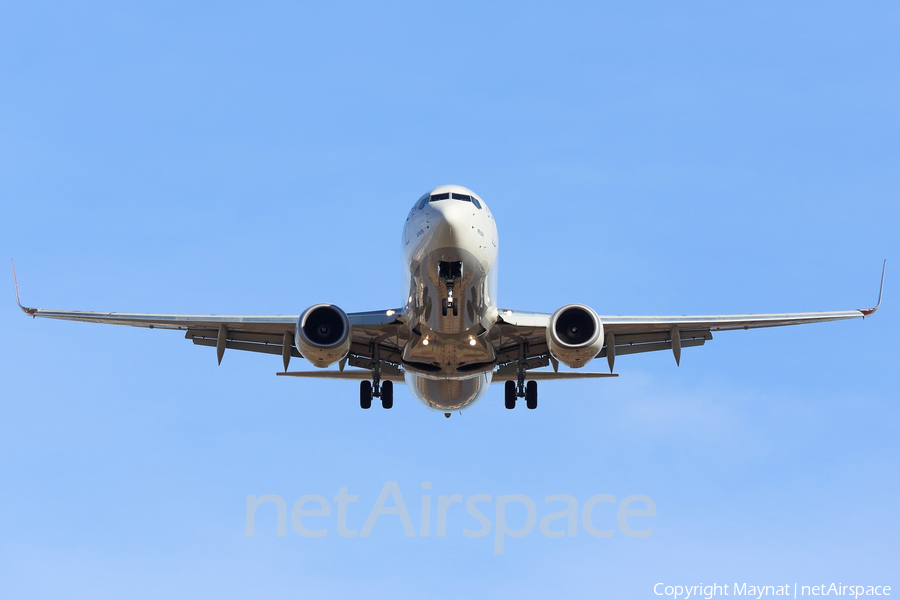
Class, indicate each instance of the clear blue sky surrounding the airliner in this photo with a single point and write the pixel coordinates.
(233, 158)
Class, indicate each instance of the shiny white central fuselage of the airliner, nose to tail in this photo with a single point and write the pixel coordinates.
(450, 251)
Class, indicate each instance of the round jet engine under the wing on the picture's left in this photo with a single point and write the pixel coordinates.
(322, 334)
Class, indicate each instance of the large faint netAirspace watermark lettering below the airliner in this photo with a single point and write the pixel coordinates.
(301, 510)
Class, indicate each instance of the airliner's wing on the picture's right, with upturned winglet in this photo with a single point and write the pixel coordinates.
(633, 334)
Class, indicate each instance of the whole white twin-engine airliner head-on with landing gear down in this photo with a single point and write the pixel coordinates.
(449, 340)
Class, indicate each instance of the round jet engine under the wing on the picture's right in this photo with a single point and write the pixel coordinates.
(574, 335)
